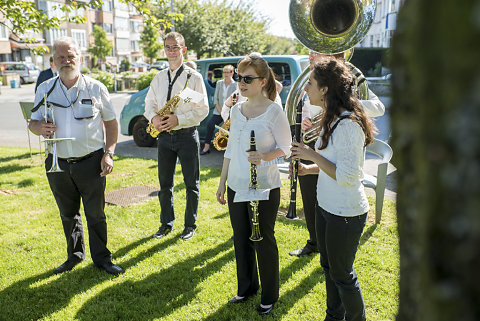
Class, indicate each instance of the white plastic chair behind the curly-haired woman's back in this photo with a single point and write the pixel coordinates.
(385, 153)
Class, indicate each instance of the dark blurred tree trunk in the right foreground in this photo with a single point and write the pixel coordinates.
(436, 140)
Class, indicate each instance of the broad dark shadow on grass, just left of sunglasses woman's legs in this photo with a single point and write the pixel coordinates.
(160, 293)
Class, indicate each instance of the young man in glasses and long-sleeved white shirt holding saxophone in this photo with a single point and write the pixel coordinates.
(178, 136)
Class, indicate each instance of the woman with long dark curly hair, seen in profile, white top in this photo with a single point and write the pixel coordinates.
(342, 205)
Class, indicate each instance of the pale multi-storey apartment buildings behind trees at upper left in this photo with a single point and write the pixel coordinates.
(120, 21)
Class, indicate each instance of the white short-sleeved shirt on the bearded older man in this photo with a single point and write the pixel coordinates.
(88, 97)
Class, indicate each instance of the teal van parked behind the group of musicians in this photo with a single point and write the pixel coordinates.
(132, 122)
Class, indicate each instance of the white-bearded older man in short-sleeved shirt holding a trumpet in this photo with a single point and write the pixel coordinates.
(81, 110)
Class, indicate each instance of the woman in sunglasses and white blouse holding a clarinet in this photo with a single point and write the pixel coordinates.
(272, 132)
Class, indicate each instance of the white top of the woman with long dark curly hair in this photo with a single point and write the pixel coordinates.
(346, 195)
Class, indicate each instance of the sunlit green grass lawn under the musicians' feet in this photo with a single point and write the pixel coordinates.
(166, 279)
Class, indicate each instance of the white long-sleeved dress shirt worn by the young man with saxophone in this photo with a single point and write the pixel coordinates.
(188, 114)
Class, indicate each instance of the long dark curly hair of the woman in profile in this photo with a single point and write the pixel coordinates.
(335, 74)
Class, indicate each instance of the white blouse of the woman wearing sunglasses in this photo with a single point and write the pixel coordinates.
(272, 131)
